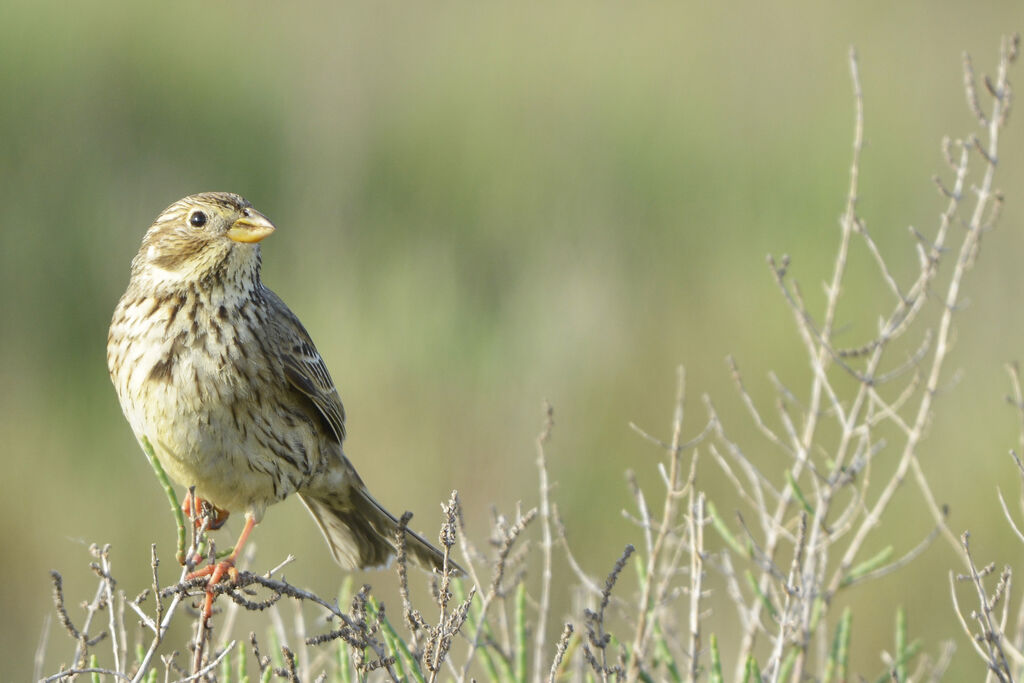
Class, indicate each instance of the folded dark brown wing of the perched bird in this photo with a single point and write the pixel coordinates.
(304, 365)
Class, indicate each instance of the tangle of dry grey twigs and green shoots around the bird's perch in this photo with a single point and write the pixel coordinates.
(795, 540)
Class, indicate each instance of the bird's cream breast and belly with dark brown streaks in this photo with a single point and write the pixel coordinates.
(197, 378)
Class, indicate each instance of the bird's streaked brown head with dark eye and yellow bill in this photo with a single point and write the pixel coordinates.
(211, 235)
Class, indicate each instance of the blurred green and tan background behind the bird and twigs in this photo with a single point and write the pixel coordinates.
(481, 206)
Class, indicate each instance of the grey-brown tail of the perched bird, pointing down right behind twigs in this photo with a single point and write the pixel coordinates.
(363, 535)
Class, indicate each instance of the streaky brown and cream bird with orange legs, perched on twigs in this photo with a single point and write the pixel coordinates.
(221, 378)
